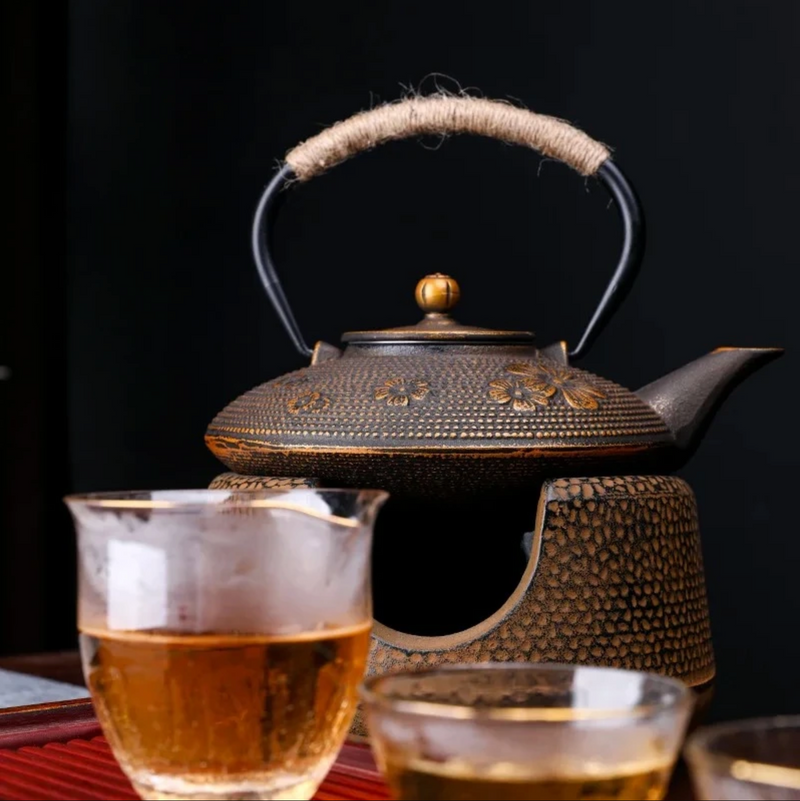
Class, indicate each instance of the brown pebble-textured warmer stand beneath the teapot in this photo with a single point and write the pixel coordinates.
(614, 578)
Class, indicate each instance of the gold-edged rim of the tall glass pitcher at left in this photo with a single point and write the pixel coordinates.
(247, 499)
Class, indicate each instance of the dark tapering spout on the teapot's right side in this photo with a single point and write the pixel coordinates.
(688, 398)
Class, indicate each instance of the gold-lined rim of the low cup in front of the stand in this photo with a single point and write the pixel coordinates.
(676, 695)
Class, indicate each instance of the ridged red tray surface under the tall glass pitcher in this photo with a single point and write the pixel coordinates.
(55, 751)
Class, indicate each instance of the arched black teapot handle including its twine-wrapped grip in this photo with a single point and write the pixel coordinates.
(449, 115)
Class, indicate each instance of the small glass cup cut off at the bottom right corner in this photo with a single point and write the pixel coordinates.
(754, 759)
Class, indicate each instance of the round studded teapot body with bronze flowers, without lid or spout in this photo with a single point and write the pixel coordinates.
(445, 420)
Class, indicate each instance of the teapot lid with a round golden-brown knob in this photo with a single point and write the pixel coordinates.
(436, 295)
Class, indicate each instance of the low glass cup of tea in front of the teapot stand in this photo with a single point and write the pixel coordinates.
(521, 731)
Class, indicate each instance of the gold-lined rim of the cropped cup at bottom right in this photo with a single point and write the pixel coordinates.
(701, 748)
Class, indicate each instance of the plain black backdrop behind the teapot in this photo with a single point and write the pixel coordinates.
(175, 115)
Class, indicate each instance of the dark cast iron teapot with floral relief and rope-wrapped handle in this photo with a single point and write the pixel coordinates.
(440, 408)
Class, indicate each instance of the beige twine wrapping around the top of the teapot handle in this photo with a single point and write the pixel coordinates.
(447, 115)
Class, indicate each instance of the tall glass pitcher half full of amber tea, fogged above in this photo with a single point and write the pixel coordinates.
(224, 634)
